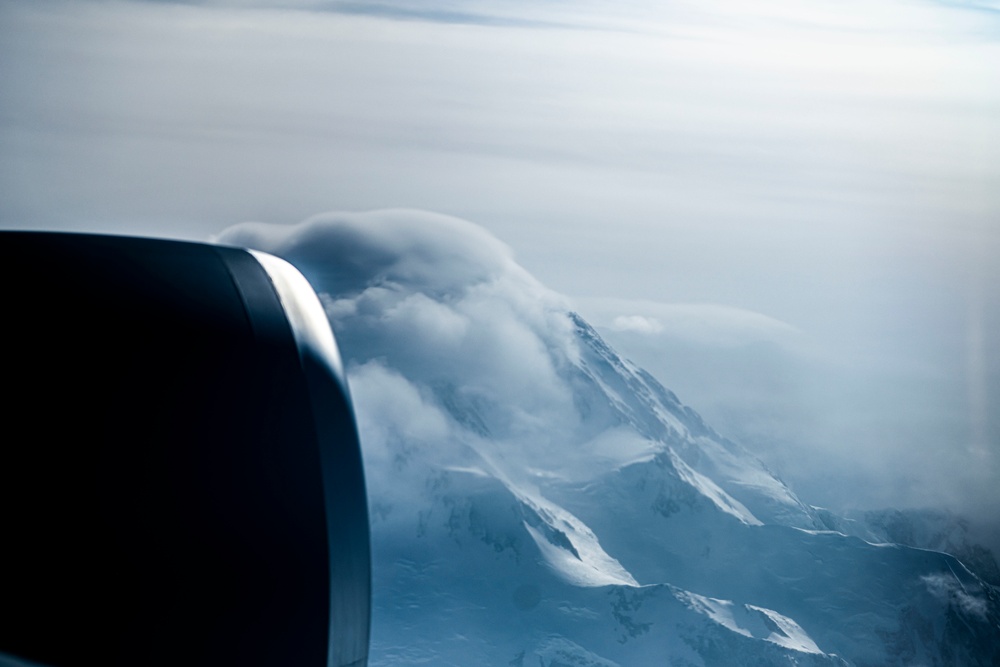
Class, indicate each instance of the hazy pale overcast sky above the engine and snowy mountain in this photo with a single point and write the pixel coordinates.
(789, 212)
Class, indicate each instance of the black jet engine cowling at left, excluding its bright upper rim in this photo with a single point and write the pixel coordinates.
(177, 481)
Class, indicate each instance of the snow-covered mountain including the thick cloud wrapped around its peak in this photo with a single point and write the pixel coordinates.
(538, 500)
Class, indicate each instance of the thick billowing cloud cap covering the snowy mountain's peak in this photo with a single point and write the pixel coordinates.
(434, 311)
